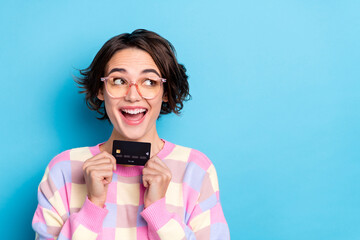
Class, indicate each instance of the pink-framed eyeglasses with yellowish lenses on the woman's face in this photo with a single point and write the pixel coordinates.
(118, 87)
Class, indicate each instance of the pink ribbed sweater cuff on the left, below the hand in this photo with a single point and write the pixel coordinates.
(92, 216)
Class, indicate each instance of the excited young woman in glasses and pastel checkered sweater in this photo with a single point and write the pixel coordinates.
(84, 194)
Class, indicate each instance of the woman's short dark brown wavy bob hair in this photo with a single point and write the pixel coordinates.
(176, 88)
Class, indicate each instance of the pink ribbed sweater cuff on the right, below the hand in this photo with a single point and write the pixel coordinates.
(156, 214)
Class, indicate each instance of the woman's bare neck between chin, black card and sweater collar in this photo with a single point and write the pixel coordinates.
(156, 143)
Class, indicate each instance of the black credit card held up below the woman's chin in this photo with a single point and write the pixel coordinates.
(131, 153)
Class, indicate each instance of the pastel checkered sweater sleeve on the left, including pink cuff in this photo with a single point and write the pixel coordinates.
(54, 218)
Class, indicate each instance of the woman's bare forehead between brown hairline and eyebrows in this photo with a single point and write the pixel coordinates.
(133, 60)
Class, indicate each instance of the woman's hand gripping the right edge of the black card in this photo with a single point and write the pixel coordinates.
(156, 179)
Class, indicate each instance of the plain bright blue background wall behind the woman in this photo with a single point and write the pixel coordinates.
(275, 106)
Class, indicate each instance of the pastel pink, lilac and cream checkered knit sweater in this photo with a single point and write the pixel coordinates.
(191, 208)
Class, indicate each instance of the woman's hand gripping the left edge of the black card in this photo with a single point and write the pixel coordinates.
(98, 172)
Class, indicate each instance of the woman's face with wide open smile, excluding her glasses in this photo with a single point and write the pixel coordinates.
(133, 117)
